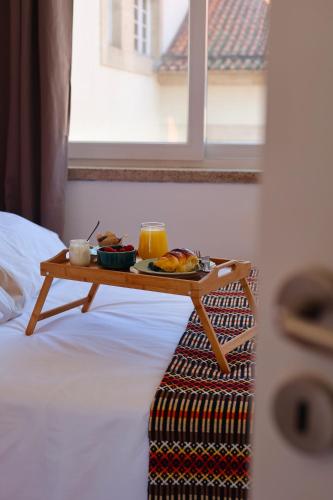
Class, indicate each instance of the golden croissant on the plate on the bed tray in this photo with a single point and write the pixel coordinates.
(178, 260)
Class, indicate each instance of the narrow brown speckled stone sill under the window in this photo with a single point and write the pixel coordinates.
(185, 175)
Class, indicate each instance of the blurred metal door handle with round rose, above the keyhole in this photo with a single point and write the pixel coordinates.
(305, 308)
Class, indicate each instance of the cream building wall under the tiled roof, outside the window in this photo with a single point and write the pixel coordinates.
(235, 109)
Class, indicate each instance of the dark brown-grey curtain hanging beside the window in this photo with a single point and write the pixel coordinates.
(35, 63)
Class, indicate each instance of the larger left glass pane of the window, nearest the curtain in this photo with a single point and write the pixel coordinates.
(136, 90)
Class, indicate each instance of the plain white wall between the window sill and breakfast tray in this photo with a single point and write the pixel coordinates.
(218, 219)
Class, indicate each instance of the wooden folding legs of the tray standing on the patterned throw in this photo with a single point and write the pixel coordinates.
(221, 350)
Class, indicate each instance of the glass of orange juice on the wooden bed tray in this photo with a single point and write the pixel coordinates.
(153, 240)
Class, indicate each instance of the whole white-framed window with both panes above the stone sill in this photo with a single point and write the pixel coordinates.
(169, 80)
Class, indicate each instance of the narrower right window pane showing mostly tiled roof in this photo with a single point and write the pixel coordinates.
(237, 38)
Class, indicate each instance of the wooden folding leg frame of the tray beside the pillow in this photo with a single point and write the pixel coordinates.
(37, 315)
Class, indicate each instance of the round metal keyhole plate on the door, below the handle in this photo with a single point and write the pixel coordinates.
(303, 411)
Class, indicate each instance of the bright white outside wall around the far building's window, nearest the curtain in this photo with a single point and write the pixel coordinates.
(107, 104)
